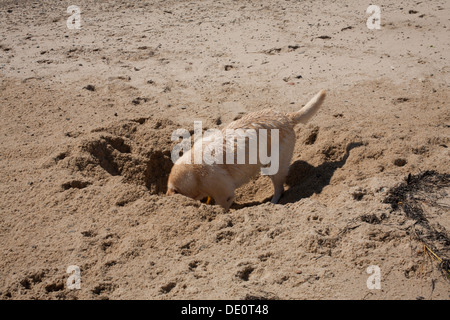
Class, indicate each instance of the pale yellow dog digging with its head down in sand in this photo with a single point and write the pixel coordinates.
(219, 179)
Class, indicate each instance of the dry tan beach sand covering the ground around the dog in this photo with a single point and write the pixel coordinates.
(85, 128)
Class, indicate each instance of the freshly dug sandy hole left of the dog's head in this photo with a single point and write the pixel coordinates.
(136, 150)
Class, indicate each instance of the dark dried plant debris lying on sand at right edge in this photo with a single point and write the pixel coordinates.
(424, 198)
